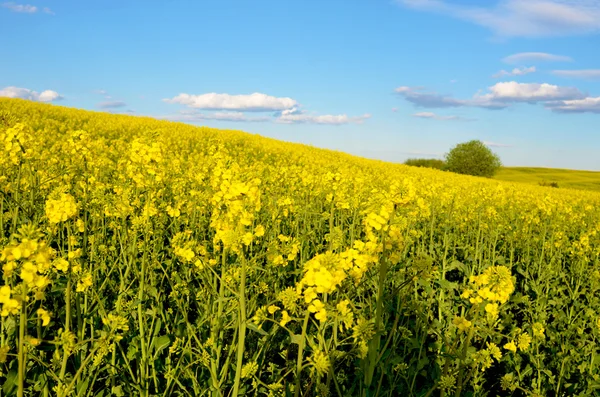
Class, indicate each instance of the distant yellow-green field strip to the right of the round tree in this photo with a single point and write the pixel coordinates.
(573, 179)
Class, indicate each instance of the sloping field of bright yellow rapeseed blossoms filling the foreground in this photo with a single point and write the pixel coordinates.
(150, 258)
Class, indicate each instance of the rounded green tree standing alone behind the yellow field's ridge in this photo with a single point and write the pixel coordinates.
(473, 158)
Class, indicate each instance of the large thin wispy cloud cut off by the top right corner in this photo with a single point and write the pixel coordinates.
(521, 18)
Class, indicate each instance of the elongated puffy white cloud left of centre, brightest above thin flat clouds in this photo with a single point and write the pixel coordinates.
(255, 102)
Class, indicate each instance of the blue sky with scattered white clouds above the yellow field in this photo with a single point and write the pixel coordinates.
(377, 78)
